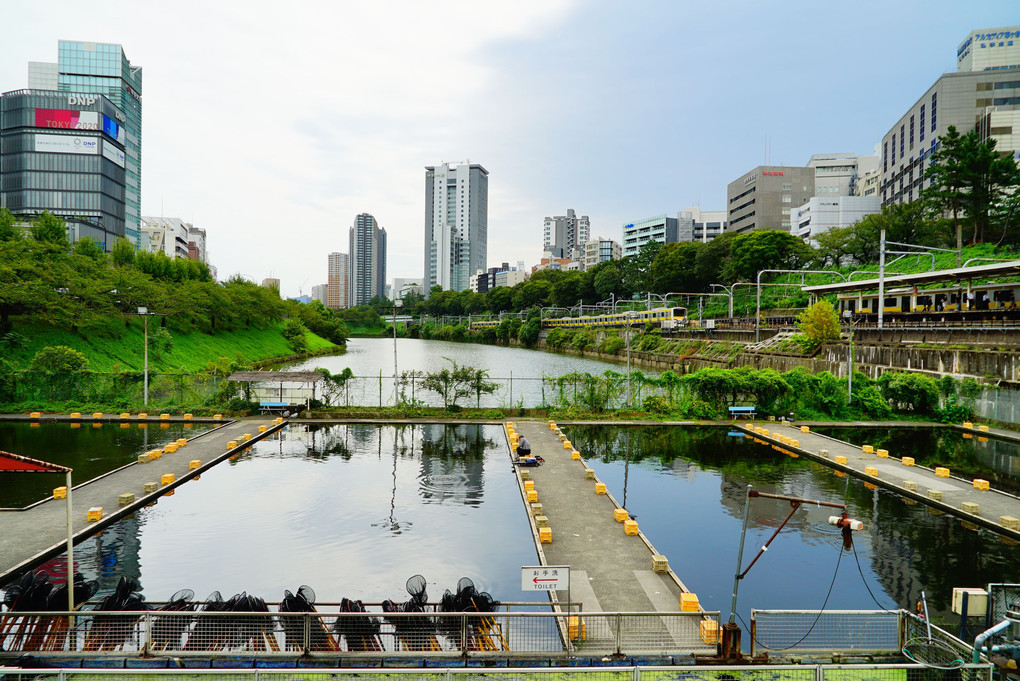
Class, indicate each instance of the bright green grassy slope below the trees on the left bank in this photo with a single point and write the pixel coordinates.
(192, 352)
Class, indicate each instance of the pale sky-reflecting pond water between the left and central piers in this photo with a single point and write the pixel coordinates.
(351, 510)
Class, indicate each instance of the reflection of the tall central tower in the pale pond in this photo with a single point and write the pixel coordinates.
(452, 464)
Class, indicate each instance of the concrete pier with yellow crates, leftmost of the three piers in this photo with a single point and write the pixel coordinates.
(40, 532)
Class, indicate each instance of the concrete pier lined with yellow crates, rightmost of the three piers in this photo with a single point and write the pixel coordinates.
(972, 500)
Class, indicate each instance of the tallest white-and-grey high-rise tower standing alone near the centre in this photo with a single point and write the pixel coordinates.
(456, 225)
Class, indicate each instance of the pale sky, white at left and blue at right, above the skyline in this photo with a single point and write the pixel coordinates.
(273, 125)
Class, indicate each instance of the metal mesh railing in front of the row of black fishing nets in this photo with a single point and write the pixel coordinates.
(504, 635)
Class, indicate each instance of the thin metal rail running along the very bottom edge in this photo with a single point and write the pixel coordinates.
(608, 673)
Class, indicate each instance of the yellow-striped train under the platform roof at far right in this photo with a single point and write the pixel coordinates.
(990, 298)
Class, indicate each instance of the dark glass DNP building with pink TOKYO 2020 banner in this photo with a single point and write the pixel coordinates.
(65, 154)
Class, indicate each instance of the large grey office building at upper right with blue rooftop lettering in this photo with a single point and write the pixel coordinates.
(984, 94)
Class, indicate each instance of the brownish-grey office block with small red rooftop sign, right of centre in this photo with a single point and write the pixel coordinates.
(764, 197)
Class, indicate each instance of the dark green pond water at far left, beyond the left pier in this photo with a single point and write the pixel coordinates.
(89, 450)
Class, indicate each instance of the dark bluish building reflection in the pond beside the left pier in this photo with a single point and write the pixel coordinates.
(106, 557)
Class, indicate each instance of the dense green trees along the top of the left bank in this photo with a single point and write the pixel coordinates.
(85, 291)
